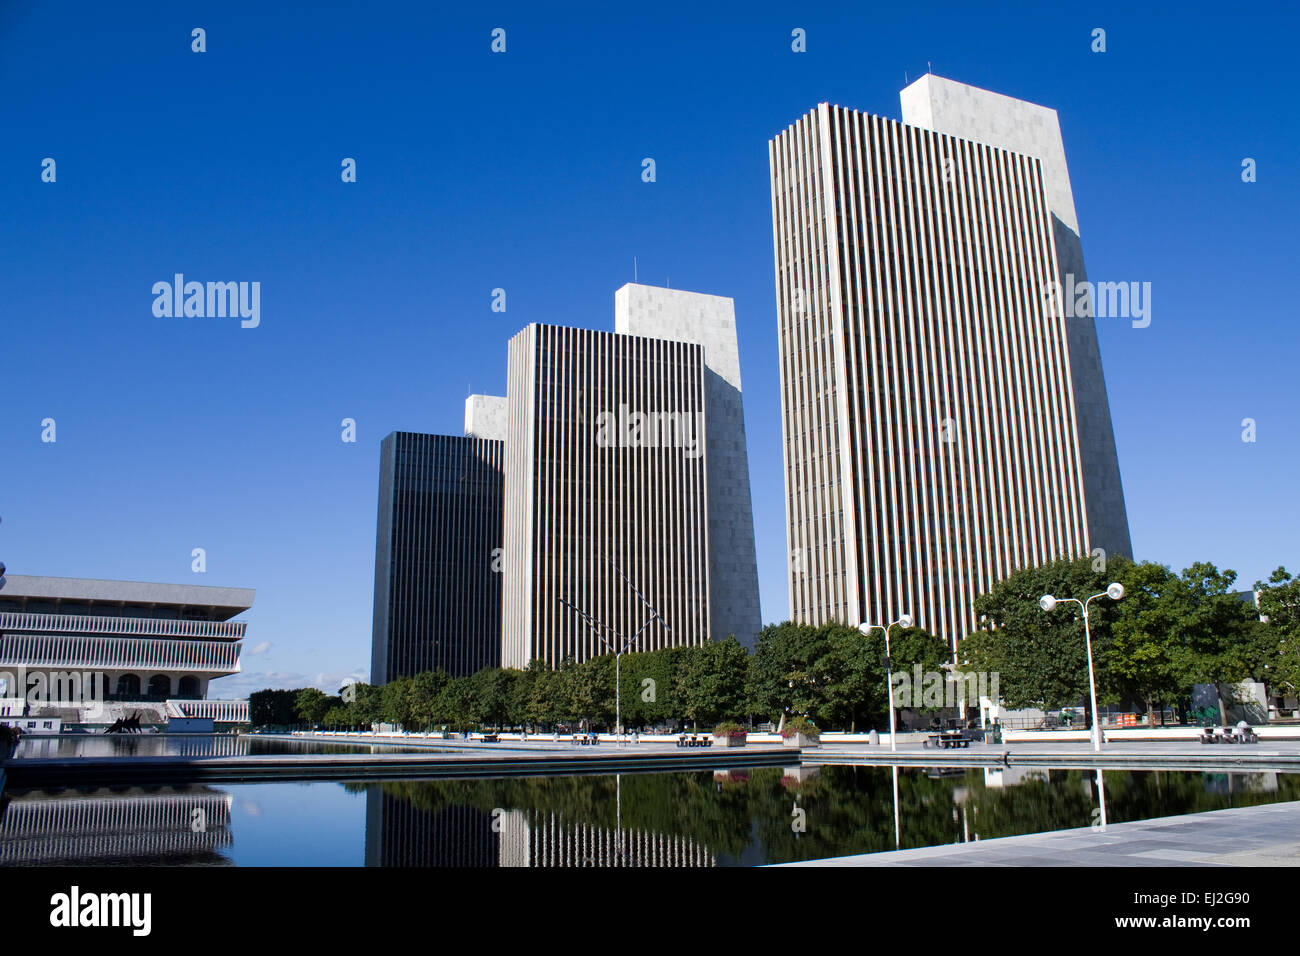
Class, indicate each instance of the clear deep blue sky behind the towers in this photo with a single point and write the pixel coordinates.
(522, 171)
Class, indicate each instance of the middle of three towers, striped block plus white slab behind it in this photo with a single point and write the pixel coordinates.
(627, 471)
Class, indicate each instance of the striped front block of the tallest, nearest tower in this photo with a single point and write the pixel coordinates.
(933, 439)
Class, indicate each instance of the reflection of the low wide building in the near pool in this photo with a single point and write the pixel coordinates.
(159, 827)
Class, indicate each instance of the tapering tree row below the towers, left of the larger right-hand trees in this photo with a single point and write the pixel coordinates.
(831, 674)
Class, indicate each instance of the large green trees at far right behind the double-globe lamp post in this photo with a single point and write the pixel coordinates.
(1169, 633)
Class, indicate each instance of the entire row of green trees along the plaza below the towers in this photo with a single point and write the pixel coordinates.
(1171, 633)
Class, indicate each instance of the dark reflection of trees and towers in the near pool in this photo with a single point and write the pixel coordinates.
(751, 816)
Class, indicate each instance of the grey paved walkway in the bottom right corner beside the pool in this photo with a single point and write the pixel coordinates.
(1242, 837)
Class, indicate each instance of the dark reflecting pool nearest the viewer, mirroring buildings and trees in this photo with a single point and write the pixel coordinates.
(699, 819)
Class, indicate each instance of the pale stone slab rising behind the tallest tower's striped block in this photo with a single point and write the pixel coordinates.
(969, 113)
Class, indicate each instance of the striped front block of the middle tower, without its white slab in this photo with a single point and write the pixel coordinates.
(606, 478)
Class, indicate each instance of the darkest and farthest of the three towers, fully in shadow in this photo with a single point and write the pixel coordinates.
(437, 556)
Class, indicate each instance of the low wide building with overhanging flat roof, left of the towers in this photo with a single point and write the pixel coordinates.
(92, 651)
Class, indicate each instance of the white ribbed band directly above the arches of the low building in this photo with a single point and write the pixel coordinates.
(119, 654)
